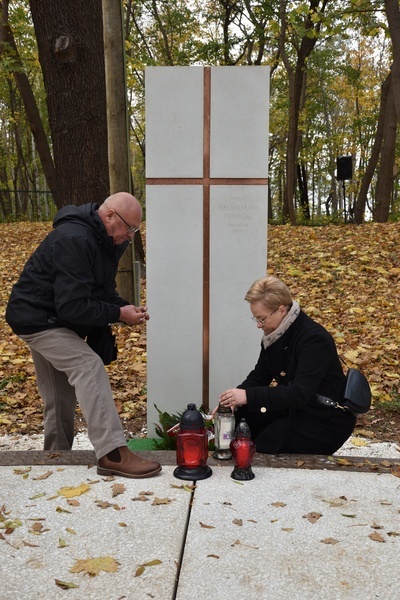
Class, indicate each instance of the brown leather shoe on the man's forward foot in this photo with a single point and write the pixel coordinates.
(125, 463)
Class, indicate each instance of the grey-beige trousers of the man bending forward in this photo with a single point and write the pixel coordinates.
(67, 371)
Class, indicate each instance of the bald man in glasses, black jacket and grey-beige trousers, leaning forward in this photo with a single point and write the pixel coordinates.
(67, 288)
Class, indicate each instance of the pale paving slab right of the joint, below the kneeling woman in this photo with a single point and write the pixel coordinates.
(298, 534)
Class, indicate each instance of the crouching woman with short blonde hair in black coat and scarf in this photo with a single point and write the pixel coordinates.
(299, 358)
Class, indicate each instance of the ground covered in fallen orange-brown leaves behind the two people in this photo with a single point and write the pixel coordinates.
(346, 277)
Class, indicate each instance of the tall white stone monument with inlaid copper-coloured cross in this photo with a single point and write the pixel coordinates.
(206, 229)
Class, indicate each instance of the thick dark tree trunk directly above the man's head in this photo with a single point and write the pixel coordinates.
(70, 41)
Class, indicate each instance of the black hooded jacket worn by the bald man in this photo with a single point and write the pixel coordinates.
(69, 281)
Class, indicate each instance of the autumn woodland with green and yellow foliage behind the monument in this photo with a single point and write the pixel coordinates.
(329, 60)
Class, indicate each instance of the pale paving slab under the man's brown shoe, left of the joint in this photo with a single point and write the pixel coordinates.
(53, 534)
